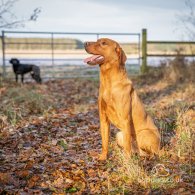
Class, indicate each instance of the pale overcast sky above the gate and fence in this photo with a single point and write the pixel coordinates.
(158, 16)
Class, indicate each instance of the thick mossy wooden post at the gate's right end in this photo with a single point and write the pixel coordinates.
(144, 67)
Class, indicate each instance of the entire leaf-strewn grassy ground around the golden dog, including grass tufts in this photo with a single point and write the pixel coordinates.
(49, 138)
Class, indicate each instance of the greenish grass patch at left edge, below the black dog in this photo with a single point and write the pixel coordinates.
(19, 102)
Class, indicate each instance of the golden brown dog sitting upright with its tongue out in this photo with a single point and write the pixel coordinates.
(119, 103)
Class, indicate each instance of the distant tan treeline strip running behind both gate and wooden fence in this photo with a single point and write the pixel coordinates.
(73, 44)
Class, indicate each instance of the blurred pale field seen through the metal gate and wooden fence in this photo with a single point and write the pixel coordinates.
(61, 55)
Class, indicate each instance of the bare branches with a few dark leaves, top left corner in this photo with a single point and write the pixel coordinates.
(9, 20)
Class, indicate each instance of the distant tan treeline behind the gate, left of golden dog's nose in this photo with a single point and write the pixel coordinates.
(42, 43)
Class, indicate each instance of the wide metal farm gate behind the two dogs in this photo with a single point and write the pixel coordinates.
(60, 55)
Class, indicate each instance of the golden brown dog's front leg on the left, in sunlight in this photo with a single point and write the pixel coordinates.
(104, 129)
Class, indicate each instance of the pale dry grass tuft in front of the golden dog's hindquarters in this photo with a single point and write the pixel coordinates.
(132, 174)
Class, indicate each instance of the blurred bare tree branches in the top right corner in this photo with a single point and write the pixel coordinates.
(188, 19)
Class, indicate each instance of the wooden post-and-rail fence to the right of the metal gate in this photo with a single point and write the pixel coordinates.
(155, 52)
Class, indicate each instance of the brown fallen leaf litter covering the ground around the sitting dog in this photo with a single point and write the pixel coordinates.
(55, 151)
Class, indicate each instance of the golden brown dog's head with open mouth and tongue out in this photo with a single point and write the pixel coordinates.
(104, 50)
